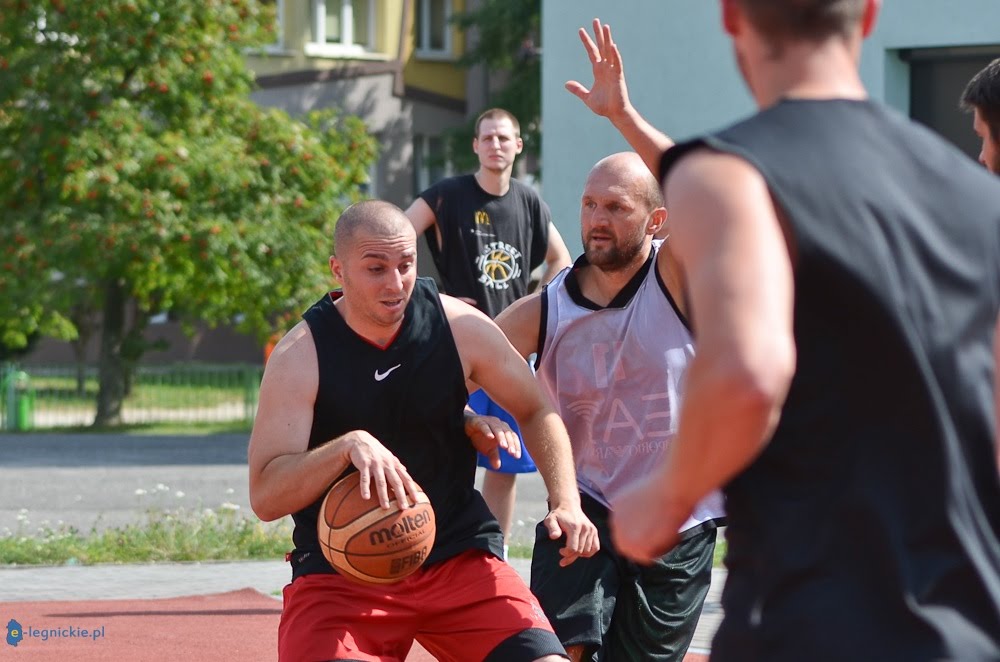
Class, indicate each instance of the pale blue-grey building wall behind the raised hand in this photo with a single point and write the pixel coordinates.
(683, 78)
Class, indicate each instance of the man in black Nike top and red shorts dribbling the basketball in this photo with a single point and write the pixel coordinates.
(375, 377)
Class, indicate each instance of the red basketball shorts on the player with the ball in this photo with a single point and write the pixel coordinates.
(468, 608)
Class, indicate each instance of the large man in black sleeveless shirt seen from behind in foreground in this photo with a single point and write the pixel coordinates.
(843, 271)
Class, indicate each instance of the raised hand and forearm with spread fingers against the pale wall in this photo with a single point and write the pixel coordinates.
(608, 96)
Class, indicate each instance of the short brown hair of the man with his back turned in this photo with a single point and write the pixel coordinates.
(804, 19)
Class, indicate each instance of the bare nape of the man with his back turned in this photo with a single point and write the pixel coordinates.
(807, 71)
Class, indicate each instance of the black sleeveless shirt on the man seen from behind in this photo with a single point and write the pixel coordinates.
(870, 520)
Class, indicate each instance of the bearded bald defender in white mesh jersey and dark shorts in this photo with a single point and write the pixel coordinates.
(612, 346)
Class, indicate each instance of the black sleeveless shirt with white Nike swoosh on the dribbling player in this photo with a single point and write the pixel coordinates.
(410, 396)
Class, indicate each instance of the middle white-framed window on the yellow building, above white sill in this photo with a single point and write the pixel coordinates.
(342, 27)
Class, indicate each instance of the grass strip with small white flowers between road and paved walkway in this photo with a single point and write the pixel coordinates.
(166, 536)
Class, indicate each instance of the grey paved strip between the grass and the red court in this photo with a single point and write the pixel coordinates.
(166, 580)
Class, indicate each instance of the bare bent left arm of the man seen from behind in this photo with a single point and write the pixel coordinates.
(726, 233)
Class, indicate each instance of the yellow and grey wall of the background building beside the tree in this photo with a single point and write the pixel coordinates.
(432, 96)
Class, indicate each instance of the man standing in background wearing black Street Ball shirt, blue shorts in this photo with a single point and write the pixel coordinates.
(489, 233)
